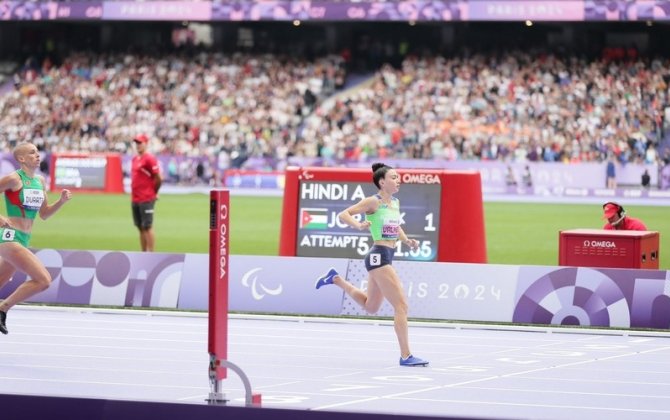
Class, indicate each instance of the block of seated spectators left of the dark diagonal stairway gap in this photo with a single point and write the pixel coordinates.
(246, 104)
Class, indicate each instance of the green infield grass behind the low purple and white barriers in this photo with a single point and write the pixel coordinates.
(516, 233)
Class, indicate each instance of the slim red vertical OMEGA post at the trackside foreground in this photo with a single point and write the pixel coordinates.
(219, 217)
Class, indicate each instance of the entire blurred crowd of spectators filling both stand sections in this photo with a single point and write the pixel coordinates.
(517, 106)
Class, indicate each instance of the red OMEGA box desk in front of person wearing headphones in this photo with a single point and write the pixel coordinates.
(609, 248)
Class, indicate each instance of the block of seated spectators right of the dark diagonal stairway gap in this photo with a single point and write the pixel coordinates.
(516, 107)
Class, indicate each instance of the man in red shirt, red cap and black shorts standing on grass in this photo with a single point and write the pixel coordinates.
(145, 182)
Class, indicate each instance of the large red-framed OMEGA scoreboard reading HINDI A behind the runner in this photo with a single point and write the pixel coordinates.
(313, 197)
